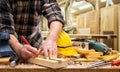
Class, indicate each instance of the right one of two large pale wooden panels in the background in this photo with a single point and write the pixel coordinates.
(109, 21)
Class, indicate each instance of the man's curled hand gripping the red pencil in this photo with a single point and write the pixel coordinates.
(28, 51)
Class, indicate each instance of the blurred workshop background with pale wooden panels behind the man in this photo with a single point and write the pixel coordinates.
(94, 17)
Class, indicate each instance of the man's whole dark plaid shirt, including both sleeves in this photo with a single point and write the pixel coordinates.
(23, 17)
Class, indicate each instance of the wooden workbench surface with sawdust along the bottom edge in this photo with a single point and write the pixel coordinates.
(70, 68)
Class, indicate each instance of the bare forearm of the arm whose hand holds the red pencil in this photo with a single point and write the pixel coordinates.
(15, 43)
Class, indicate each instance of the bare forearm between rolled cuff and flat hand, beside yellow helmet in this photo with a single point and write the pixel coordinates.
(55, 29)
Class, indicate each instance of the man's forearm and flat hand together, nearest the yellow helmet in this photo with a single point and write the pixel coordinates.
(49, 47)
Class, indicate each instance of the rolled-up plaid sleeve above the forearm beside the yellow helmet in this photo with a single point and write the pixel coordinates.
(52, 11)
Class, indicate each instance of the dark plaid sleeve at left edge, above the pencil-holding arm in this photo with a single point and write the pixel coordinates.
(6, 21)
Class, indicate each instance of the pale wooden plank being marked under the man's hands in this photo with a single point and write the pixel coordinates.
(51, 63)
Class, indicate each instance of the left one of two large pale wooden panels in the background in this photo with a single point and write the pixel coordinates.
(89, 20)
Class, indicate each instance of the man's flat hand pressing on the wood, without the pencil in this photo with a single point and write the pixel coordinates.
(49, 49)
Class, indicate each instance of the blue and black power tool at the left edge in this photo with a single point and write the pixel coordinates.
(6, 50)
